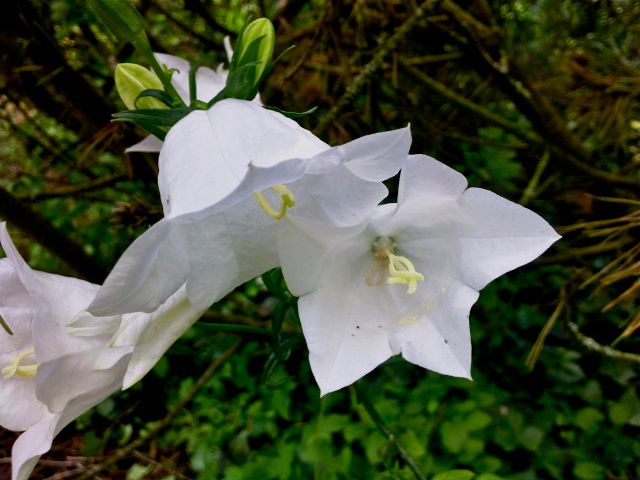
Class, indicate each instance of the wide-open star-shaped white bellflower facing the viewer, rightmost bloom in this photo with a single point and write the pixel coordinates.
(404, 281)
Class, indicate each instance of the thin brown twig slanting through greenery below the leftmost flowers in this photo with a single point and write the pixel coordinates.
(152, 432)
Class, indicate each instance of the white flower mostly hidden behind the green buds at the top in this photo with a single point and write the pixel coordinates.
(208, 84)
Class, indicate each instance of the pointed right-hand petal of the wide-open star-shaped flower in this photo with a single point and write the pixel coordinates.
(477, 238)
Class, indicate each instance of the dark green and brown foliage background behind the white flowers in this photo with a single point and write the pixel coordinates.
(534, 99)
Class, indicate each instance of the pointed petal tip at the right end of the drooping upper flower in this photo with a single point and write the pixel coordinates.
(379, 156)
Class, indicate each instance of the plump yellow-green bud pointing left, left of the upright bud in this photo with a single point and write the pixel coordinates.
(133, 79)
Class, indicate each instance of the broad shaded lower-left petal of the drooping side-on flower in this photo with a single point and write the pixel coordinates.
(212, 252)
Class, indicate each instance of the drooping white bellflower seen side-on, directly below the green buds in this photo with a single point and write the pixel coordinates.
(221, 173)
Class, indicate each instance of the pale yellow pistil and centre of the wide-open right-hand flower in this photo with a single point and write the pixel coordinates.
(401, 269)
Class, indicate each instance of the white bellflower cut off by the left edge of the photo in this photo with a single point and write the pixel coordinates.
(48, 377)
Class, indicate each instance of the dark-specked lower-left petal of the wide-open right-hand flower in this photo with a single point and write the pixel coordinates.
(345, 322)
